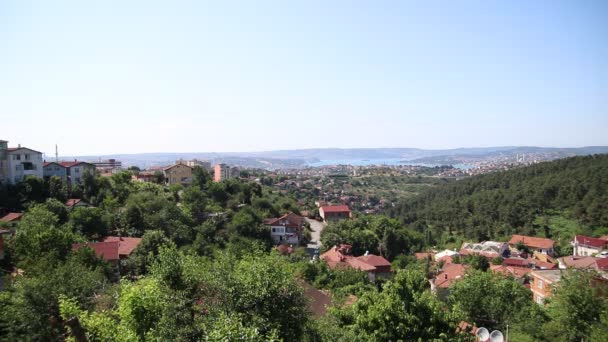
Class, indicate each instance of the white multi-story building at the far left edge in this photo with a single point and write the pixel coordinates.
(19, 162)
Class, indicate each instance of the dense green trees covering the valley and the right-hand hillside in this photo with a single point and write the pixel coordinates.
(205, 270)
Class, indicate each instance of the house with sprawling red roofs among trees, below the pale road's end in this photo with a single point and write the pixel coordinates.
(339, 257)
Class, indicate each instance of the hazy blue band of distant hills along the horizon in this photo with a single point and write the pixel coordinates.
(298, 158)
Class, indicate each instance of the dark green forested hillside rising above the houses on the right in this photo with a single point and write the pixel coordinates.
(524, 200)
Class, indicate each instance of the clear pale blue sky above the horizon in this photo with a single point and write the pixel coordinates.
(100, 77)
